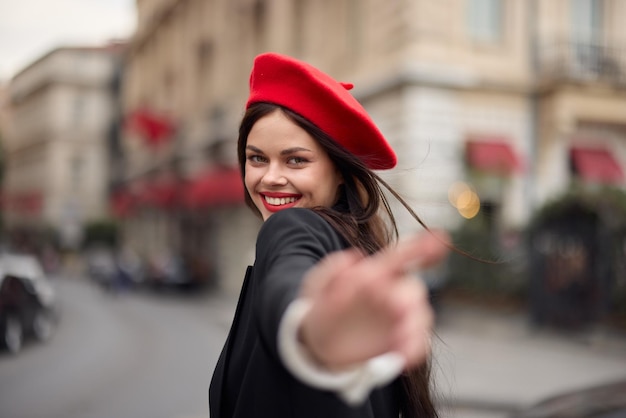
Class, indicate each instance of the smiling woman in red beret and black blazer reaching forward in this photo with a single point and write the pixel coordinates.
(330, 321)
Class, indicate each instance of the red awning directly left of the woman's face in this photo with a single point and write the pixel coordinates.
(217, 187)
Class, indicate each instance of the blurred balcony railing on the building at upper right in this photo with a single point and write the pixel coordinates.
(582, 62)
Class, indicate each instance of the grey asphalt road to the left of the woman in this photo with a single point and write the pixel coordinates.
(133, 355)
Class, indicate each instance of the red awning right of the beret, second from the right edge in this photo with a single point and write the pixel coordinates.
(493, 156)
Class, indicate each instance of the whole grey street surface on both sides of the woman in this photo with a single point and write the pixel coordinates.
(146, 354)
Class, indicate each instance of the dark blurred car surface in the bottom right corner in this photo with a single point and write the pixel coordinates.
(603, 401)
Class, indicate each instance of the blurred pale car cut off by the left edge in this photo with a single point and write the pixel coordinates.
(27, 302)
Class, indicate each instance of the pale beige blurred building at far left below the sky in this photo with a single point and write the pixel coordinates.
(56, 143)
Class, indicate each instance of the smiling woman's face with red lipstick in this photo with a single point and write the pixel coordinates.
(286, 167)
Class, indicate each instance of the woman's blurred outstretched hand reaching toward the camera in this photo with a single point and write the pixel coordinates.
(364, 306)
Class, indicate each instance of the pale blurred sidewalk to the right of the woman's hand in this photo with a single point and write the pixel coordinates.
(488, 363)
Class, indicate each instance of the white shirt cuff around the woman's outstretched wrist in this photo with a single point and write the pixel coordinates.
(353, 385)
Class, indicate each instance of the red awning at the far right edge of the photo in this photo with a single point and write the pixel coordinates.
(596, 165)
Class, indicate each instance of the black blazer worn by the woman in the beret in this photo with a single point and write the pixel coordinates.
(250, 379)
